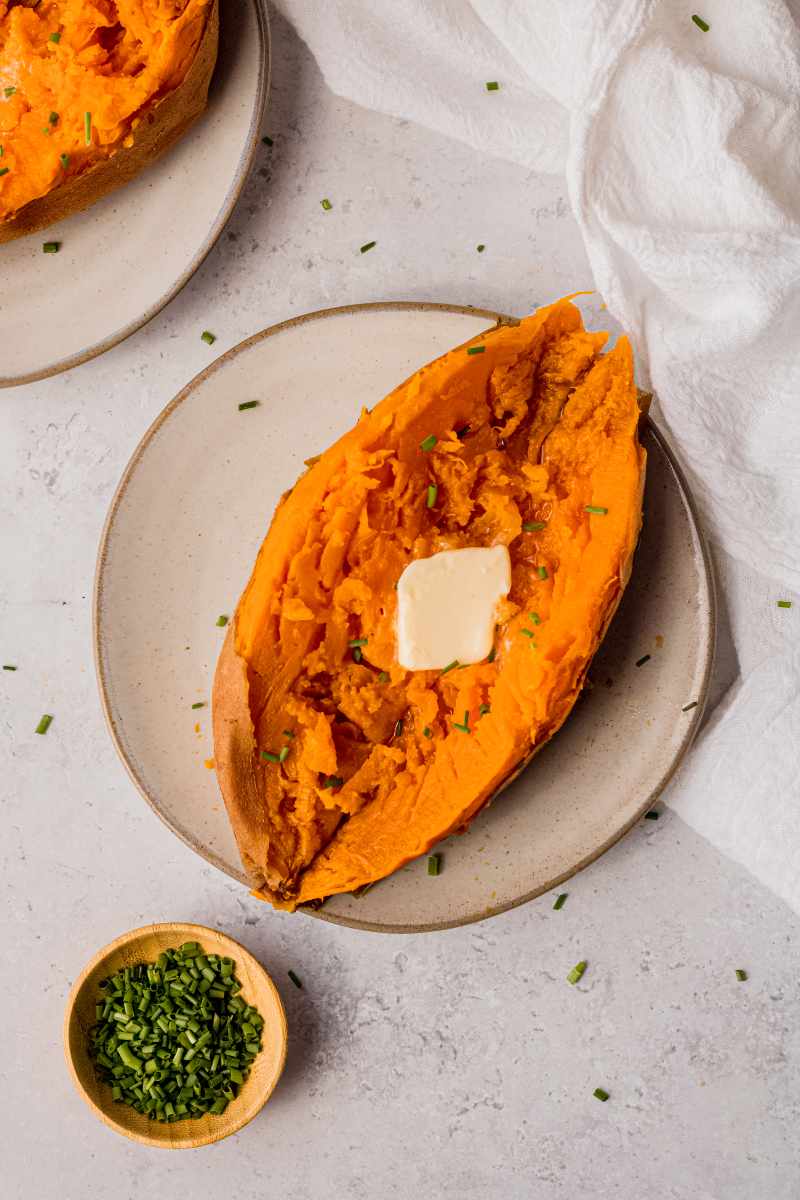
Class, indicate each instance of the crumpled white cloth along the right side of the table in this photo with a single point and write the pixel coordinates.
(683, 160)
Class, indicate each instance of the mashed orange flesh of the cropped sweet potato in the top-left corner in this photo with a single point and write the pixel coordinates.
(63, 59)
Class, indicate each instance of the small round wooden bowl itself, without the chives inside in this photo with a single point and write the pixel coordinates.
(145, 946)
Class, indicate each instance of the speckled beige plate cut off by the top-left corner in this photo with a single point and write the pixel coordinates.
(128, 256)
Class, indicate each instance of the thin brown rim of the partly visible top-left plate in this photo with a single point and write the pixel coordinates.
(214, 235)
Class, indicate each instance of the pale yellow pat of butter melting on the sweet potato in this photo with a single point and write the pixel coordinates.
(447, 604)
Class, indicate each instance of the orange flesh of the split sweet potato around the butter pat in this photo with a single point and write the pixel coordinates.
(532, 430)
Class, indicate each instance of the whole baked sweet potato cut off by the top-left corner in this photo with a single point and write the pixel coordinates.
(92, 93)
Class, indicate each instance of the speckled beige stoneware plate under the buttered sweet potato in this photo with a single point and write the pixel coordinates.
(178, 548)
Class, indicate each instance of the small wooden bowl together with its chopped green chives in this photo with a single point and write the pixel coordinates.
(176, 1036)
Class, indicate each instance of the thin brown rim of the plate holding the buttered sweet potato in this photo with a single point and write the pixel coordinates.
(215, 860)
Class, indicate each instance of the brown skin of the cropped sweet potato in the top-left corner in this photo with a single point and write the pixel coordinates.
(160, 127)
